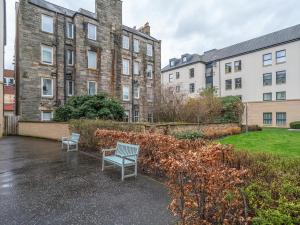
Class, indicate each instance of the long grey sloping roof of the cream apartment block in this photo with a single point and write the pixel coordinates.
(284, 36)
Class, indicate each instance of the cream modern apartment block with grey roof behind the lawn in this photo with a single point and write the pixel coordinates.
(264, 72)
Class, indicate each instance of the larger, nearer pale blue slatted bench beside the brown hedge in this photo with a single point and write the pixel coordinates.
(125, 155)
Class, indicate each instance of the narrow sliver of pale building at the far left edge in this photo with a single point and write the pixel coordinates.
(2, 44)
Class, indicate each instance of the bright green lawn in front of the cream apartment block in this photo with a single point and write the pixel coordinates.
(277, 141)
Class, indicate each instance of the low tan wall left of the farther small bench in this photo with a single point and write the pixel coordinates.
(48, 130)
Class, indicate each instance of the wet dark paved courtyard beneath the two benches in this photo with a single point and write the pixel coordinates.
(40, 184)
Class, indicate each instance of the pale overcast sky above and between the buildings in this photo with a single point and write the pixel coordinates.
(190, 26)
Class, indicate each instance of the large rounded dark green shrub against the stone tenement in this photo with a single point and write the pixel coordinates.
(90, 107)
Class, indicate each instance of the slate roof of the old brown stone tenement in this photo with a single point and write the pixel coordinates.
(61, 10)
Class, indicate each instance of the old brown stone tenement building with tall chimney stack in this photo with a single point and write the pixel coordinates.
(61, 53)
